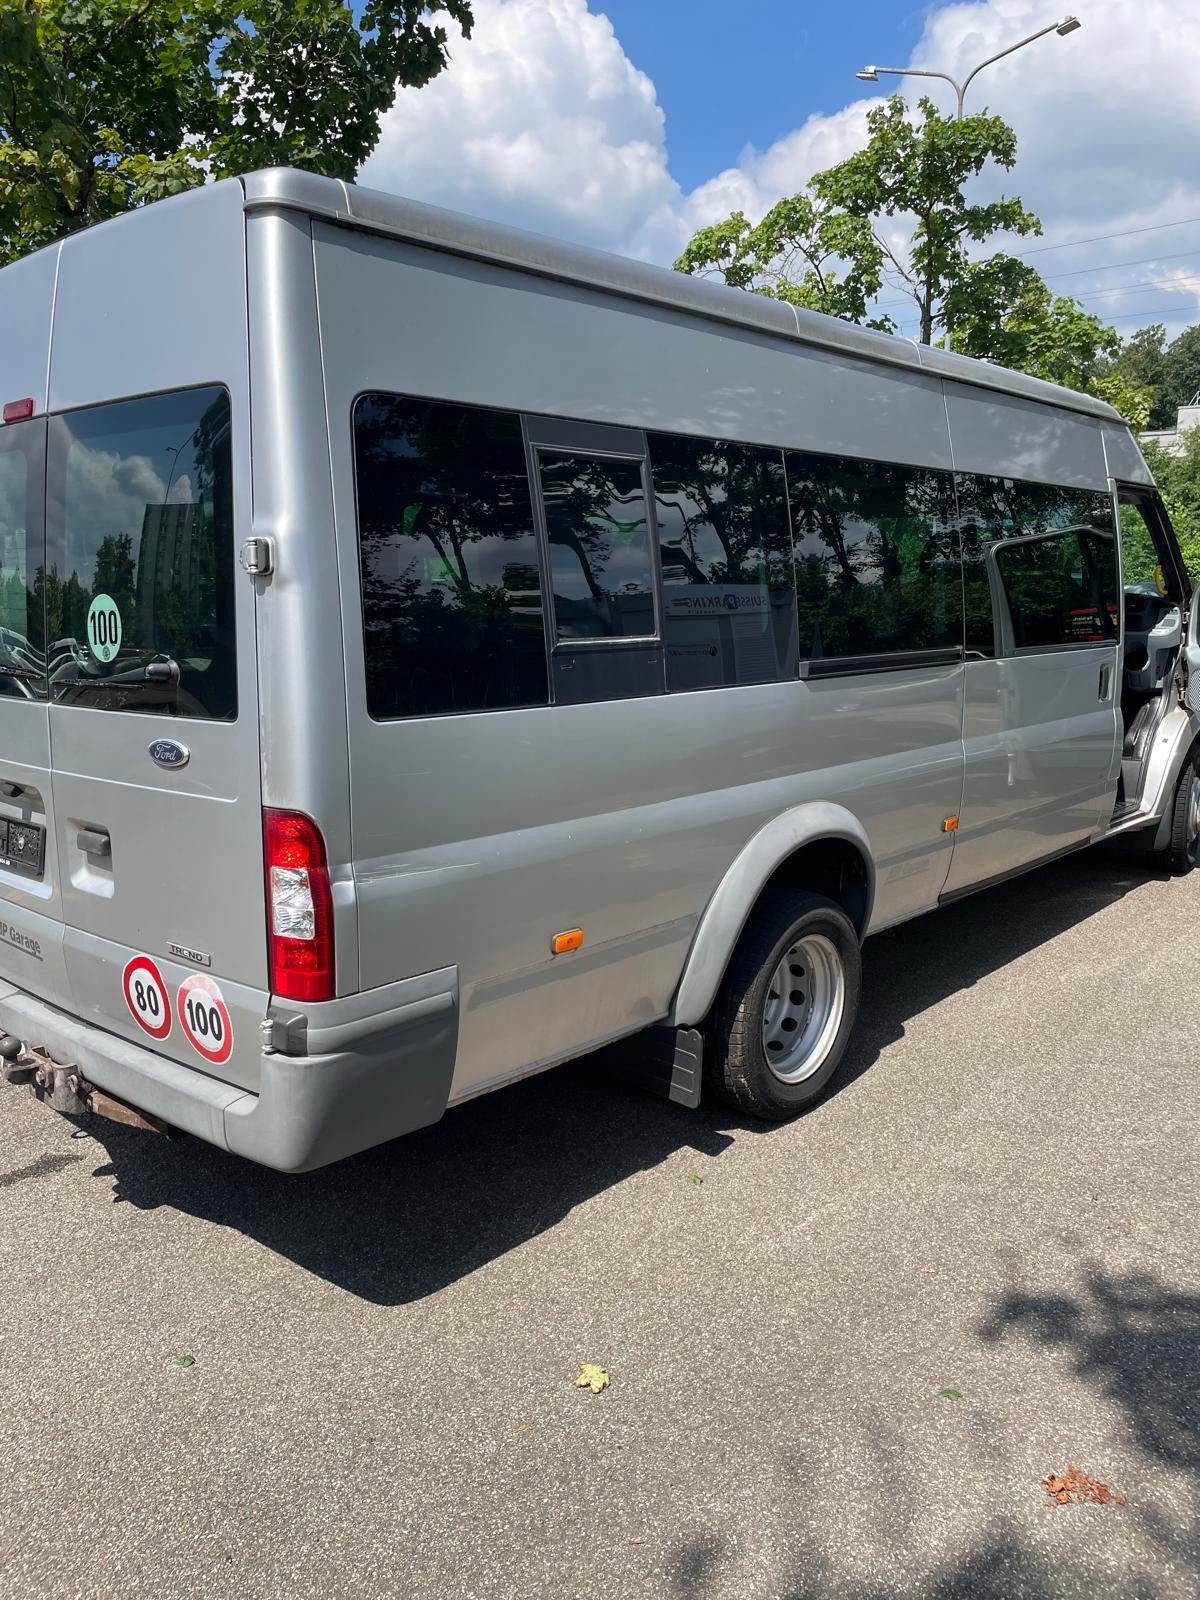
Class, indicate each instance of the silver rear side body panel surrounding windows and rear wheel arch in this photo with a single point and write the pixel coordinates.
(479, 838)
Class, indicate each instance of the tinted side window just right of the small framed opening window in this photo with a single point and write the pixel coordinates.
(726, 551)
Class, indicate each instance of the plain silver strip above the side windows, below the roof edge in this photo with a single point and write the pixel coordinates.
(465, 330)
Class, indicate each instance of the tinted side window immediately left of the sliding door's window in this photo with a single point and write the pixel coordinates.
(876, 558)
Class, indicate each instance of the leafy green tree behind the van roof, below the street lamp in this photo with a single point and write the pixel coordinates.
(894, 215)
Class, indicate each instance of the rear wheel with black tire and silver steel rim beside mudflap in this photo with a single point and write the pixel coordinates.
(750, 1057)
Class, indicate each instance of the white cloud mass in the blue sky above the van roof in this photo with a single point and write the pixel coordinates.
(543, 121)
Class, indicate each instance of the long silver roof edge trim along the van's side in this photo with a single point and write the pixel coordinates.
(553, 258)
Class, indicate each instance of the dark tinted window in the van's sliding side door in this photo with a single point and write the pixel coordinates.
(1058, 583)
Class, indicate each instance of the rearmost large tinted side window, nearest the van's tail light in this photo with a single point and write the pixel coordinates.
(452, 590)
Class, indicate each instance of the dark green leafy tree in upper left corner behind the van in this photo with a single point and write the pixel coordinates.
(111, 103)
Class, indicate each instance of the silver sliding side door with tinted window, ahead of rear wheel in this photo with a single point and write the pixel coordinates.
(1042, 718)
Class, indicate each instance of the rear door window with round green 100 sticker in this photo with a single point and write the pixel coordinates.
(140, 570)
